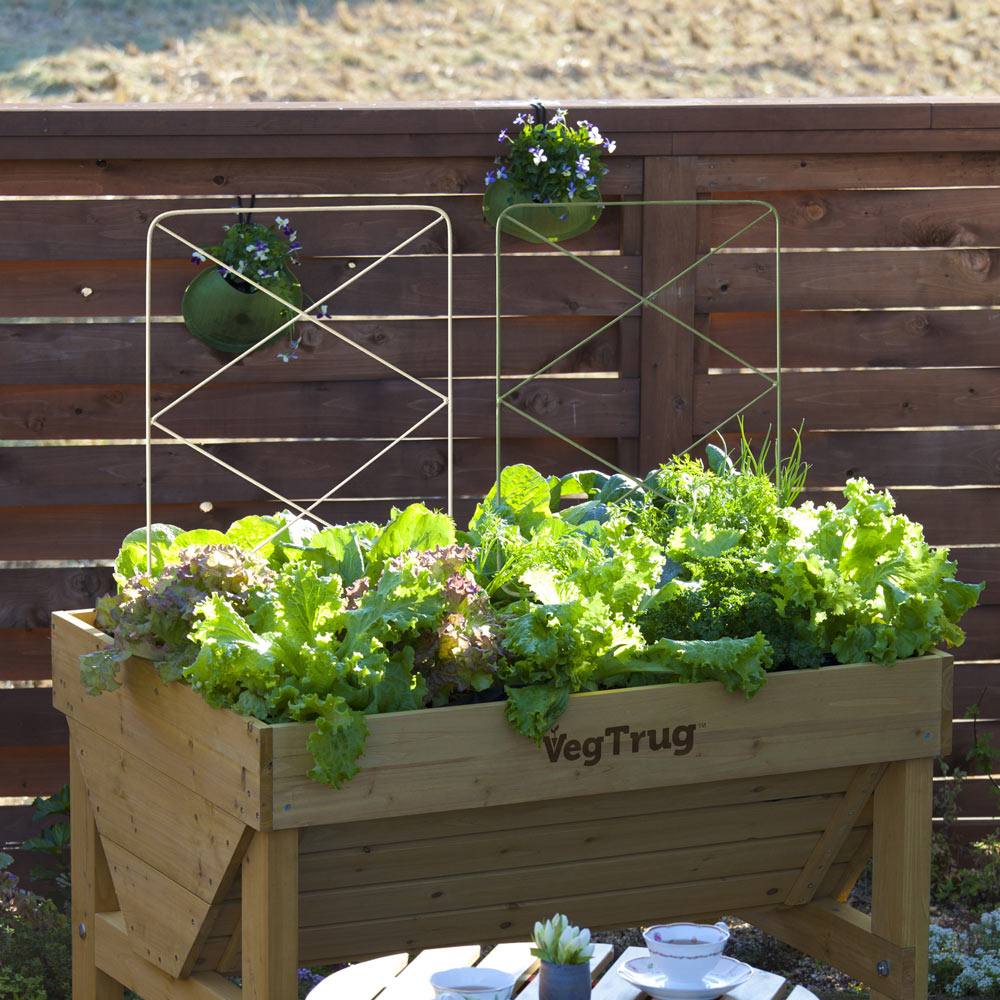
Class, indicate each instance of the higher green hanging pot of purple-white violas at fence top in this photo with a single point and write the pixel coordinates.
(551, 172)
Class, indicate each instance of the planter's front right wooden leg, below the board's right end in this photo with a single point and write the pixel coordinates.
(901, 868)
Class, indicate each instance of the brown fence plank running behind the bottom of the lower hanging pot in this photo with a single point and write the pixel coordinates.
(108, 353)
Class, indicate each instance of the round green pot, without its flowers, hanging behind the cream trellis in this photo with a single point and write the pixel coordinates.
(229, 319)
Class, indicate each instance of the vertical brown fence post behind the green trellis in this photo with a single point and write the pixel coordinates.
(667, 350)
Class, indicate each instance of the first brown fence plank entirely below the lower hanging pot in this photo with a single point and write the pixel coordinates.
(372, 409)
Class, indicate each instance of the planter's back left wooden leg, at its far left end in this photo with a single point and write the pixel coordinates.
(92, 891)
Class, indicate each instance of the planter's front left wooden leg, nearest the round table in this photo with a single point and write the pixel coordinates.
(270, 916)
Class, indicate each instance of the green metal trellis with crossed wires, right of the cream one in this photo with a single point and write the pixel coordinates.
(773, 383)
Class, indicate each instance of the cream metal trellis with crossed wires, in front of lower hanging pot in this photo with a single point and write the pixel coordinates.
(312, 314)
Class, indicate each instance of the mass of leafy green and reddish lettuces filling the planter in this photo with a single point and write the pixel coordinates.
(559, 585)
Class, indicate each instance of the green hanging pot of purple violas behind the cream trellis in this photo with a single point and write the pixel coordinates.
(246, 295)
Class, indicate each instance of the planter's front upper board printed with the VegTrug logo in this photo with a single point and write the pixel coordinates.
(398, 744)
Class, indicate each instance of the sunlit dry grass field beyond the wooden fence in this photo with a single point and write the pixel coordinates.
(367, 50)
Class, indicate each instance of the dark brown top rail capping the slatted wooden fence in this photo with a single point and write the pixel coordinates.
(396, 129)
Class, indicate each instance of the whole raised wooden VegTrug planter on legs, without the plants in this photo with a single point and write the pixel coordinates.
(200, 847)
